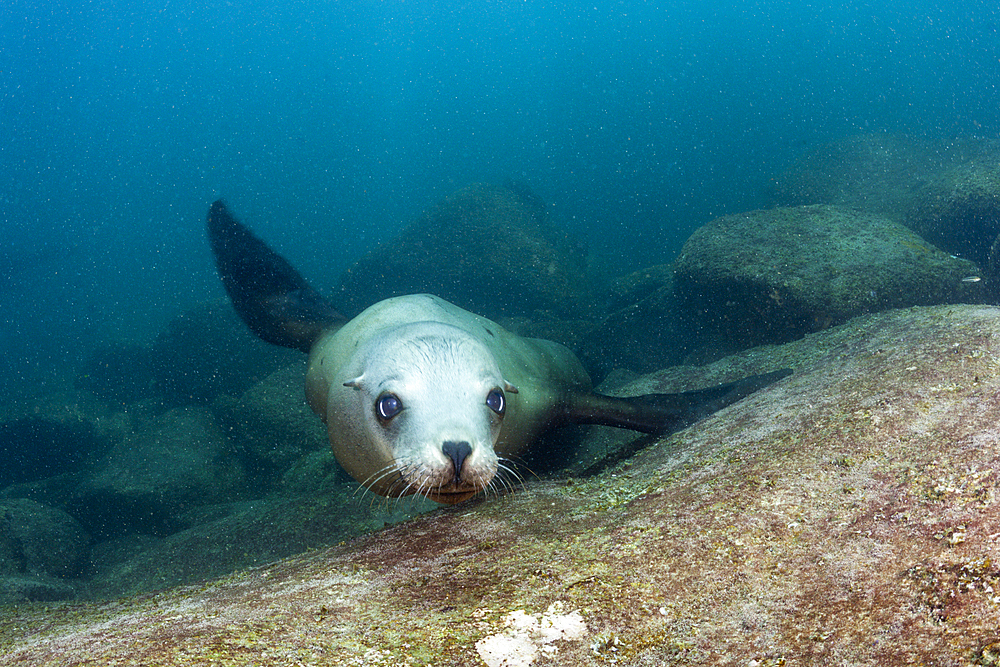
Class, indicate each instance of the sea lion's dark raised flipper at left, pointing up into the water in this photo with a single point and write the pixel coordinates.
(267, 292)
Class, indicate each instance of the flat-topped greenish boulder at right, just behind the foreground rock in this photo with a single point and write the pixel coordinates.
(772, 276)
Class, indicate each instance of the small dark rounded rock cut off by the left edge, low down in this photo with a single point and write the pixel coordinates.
(39, 540)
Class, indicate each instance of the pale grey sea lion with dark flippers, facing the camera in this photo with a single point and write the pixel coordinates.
(421, 396)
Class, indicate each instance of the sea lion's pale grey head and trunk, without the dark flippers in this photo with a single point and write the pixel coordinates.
(441, 361)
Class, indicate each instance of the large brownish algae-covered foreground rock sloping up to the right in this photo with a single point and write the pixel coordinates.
(845, 515)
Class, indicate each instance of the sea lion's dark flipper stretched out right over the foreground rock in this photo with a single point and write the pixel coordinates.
(663, 413)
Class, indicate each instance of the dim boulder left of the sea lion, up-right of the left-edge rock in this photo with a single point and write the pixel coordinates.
(147, 480)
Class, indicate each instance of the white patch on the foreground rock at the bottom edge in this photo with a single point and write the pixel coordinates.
(527, 635)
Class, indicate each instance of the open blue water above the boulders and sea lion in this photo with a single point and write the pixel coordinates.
(329, 125)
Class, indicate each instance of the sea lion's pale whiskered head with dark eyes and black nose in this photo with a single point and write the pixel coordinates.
(427, 403)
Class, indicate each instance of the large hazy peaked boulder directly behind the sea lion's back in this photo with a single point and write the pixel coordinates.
(489, 249)
